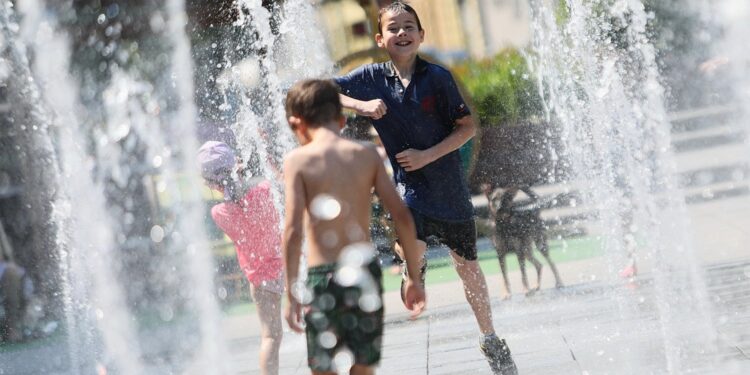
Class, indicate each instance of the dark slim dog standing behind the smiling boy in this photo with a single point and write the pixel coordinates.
(517, 227)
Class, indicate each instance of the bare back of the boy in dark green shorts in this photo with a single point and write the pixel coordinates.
(333, 179)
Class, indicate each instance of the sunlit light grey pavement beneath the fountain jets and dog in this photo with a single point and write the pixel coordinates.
(580, 329)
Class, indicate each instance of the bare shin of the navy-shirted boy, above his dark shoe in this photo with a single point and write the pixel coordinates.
(475, 289)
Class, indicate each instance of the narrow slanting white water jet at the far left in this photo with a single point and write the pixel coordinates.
(98, 297)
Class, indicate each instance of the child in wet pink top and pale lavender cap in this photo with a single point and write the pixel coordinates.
(250, 220)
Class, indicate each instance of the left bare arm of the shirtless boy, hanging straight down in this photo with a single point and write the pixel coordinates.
(292, 239)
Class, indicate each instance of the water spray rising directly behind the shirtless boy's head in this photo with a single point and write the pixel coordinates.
(286, 48)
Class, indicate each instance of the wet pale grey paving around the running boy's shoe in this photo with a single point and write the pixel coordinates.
(587, 328)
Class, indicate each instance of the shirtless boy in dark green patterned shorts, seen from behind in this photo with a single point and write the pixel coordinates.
(328, 184)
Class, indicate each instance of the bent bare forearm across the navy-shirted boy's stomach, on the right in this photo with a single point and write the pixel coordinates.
(412, 160)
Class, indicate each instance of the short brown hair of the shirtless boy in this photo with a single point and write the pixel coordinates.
(314, 100)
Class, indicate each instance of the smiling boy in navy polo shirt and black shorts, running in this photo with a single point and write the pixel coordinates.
(422, 120)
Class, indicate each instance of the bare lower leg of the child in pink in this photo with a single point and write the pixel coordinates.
(269, 313)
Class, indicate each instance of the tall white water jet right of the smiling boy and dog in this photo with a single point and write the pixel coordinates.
(598, 74)
